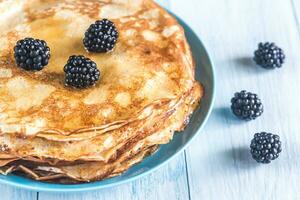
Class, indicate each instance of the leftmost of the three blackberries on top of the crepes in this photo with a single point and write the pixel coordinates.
(32, 54)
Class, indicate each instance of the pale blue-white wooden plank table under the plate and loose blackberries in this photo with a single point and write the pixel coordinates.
(217, 165)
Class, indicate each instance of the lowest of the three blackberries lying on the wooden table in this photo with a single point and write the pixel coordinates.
(265, 147)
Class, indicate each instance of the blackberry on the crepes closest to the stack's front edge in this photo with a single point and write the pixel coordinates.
(81, 72)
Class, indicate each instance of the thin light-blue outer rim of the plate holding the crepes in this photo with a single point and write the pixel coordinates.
(62, 189)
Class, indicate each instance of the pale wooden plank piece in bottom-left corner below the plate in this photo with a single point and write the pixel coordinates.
(10, 193)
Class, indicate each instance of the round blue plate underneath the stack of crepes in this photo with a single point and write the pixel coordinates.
(205, 74)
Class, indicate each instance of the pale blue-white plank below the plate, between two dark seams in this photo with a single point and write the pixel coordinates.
(168, 182)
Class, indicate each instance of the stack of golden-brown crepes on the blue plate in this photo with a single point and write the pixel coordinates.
(146, 92)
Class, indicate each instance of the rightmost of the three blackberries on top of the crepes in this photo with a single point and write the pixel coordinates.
(101, 36)
